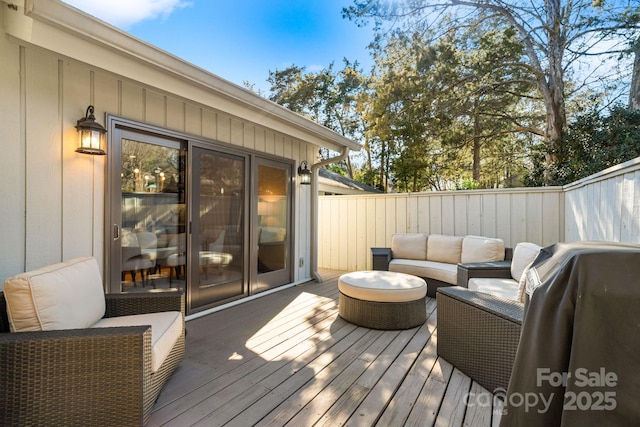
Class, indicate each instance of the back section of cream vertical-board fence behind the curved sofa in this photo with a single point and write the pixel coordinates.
(349, 226)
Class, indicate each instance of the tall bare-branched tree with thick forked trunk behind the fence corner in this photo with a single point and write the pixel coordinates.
(556, 36)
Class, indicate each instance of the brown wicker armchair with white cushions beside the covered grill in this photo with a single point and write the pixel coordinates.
(479, 321)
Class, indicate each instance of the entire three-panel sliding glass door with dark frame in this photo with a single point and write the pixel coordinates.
(209, 220)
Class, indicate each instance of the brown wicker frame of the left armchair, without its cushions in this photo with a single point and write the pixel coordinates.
(88, 377)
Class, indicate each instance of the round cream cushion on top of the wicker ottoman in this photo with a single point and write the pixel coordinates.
(382, 286)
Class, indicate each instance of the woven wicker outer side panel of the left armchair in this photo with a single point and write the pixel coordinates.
(60, 378)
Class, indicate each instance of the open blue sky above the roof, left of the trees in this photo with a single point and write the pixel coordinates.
(242, 40)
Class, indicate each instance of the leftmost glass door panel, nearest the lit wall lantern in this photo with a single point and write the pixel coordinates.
(152, 226)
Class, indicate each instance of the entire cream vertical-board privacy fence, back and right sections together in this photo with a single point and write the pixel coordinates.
(604, 206)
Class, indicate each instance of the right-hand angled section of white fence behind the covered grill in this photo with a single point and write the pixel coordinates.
(605, 206)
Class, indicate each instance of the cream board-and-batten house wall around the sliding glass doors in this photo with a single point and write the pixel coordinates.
(53, 201)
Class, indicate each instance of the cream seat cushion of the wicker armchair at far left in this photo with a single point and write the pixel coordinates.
(166, 328)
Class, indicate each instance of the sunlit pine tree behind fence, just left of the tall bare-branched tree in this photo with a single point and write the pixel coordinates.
(491, 93)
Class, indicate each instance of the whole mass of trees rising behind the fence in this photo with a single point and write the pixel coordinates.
(476, 93)
